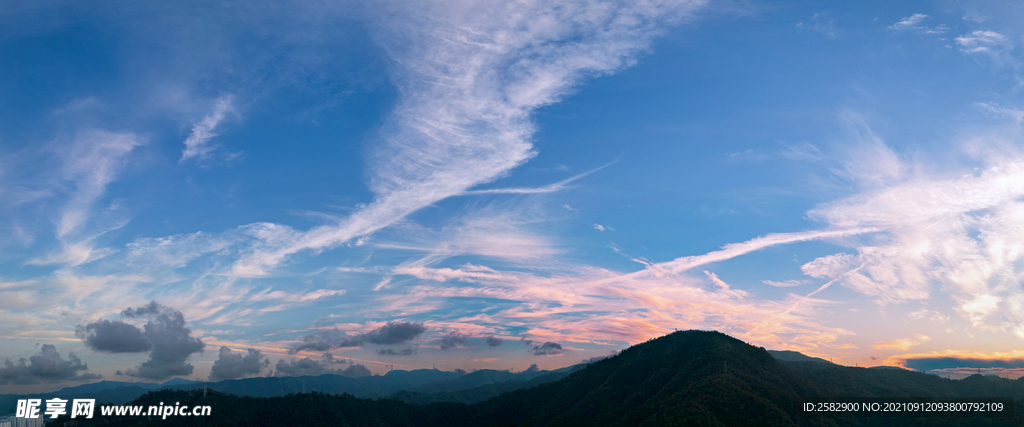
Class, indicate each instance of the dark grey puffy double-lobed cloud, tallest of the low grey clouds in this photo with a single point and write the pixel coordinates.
(170, 344)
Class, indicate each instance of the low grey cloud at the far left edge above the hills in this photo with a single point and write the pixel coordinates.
(48, 367)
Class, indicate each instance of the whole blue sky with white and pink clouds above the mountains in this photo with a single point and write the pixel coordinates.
(206, 191)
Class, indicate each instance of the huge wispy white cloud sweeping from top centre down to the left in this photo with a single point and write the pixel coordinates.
(471, 77)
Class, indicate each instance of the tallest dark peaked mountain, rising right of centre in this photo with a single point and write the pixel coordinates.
(685, 378)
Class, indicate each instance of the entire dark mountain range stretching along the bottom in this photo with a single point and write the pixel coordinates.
(690, 378)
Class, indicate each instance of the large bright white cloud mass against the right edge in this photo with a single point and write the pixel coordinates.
(961, 235)
